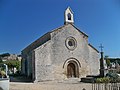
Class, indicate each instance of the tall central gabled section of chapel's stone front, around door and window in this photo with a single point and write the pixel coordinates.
(60, 53)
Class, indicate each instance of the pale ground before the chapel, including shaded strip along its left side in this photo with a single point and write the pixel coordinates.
(18, 83)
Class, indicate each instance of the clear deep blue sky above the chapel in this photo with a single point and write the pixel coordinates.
(24, 21)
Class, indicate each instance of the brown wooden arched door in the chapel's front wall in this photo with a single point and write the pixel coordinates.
(72, 70)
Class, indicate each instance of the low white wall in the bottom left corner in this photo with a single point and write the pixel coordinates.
(4, 84)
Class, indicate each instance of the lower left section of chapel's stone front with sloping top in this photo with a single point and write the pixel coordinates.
(43, 66)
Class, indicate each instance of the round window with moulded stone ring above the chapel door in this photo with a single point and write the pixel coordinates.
(71, 43)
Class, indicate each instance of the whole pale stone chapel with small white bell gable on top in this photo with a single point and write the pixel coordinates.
(60, 54)
